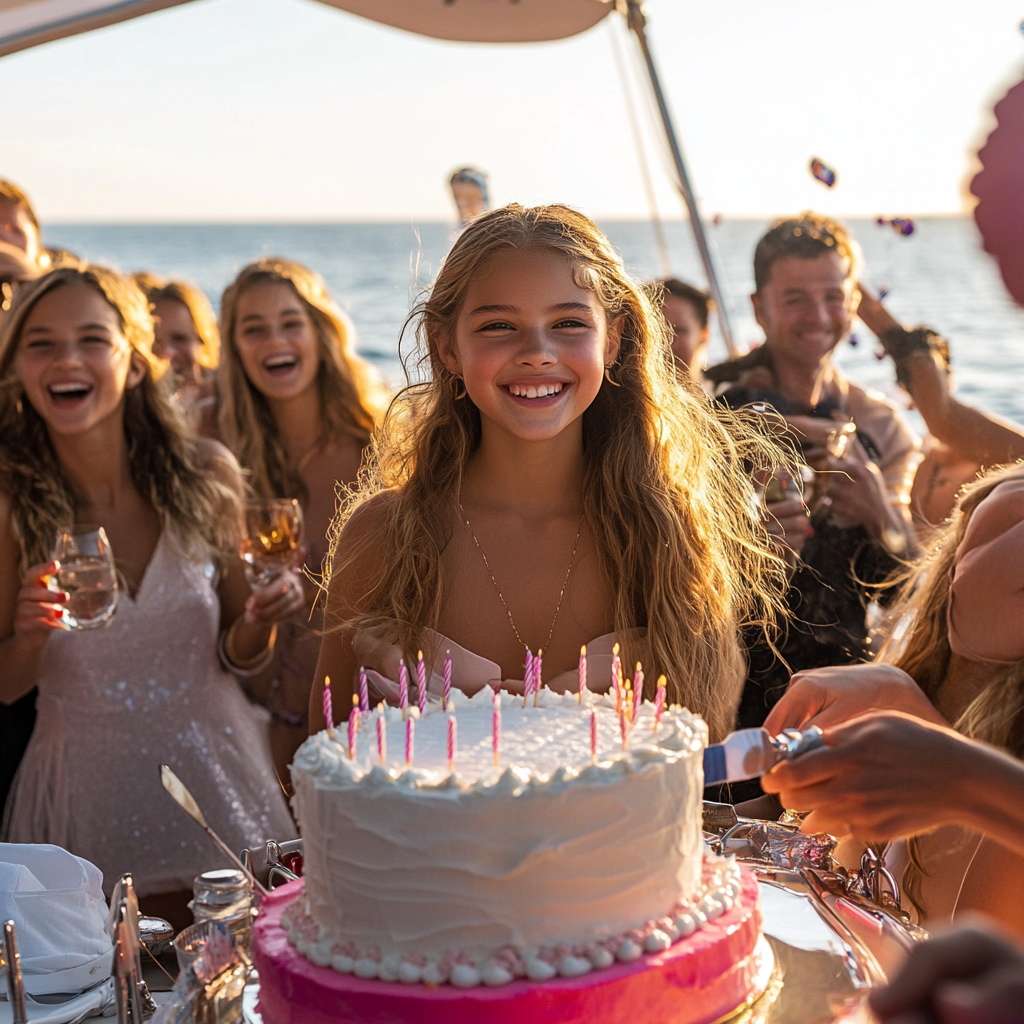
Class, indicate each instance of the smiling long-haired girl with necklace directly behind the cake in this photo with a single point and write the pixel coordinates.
(553, 484)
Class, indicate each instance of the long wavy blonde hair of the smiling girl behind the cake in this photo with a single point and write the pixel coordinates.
(666, 494)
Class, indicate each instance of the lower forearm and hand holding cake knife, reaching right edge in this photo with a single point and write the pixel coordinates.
(888, 776)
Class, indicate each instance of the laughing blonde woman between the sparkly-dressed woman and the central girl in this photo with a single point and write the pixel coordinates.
(297, 408)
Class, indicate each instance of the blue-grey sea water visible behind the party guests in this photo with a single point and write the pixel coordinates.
(938, 277)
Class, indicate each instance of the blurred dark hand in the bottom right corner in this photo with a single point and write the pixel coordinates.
(971, 975)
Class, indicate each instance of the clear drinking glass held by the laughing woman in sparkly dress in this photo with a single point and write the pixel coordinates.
(89, 575)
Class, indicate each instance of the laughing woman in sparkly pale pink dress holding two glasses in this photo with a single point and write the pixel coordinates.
(89, 436)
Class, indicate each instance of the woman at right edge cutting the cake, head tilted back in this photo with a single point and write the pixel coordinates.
(927, 746)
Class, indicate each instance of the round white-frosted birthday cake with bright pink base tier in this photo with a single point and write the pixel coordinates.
(539, 861)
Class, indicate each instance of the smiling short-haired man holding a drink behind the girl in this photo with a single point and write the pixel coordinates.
(858, 525)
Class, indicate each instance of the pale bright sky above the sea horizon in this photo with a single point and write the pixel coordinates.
(291, 111)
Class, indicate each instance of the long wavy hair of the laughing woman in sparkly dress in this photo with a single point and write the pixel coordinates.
(164, 462)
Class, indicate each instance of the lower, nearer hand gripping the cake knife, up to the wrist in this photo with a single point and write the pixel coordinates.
(882, 777)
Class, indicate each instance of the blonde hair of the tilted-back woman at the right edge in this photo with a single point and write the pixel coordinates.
(922, 648)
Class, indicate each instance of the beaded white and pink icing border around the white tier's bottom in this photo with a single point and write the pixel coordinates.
(462, 969)
